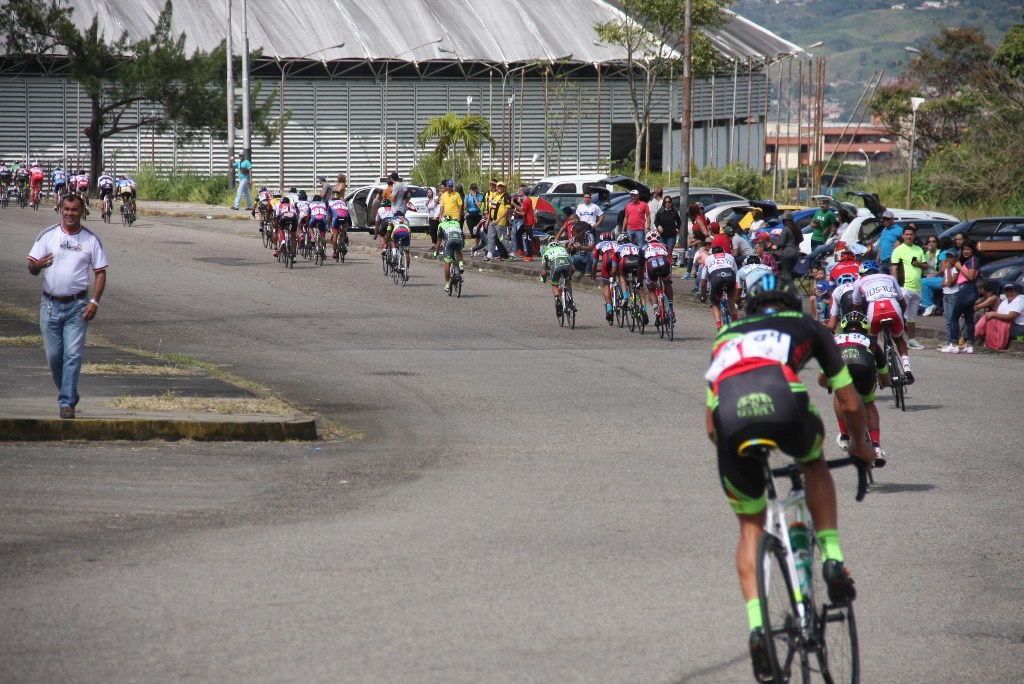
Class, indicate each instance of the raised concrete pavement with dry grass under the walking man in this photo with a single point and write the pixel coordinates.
(29, 409)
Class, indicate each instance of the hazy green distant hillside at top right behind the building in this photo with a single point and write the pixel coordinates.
(862, 37)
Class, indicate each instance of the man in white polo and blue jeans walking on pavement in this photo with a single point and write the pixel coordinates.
(65, 253)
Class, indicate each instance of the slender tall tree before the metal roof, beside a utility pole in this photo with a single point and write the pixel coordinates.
(652, 33)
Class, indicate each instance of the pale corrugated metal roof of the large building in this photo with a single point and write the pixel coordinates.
(414, 31)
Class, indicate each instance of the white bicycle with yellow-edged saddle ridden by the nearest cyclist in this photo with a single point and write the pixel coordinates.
(813, 634)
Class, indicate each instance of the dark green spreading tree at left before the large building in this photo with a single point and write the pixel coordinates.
(188, 92)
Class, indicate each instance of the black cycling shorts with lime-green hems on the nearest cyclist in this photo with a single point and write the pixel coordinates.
(766, 403)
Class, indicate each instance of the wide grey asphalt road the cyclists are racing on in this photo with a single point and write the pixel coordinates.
(529, 503)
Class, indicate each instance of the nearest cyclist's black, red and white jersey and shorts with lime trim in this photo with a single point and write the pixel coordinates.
(754, 392)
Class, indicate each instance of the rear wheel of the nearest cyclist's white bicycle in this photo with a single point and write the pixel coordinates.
(779, 608)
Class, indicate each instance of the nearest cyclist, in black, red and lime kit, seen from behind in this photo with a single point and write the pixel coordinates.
(754, 393)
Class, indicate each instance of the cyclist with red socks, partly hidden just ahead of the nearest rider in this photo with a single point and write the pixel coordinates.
(866, 362)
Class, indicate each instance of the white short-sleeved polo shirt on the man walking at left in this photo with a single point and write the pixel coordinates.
(74, 256)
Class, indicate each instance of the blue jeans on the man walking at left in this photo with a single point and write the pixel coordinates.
(64, 340)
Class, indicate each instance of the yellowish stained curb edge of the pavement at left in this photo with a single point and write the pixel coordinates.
(46, 430)
